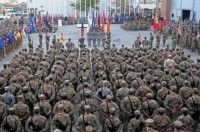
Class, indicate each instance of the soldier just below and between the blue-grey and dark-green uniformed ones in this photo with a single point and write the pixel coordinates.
(21, 110)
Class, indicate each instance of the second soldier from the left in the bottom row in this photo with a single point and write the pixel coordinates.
(37, 123)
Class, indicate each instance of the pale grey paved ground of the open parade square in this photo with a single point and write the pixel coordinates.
(119, 37)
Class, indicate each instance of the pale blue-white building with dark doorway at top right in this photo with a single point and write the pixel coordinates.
(181, 9)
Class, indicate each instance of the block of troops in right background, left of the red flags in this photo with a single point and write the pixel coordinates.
(136, 25)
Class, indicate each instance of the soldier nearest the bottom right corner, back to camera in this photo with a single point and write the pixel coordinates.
(186, 119)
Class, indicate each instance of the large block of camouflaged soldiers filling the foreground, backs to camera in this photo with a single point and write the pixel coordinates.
(125, 89)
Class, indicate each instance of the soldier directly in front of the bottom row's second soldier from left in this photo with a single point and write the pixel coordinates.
(45, 107)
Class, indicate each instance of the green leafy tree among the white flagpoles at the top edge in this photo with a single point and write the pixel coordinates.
(94, 4)
